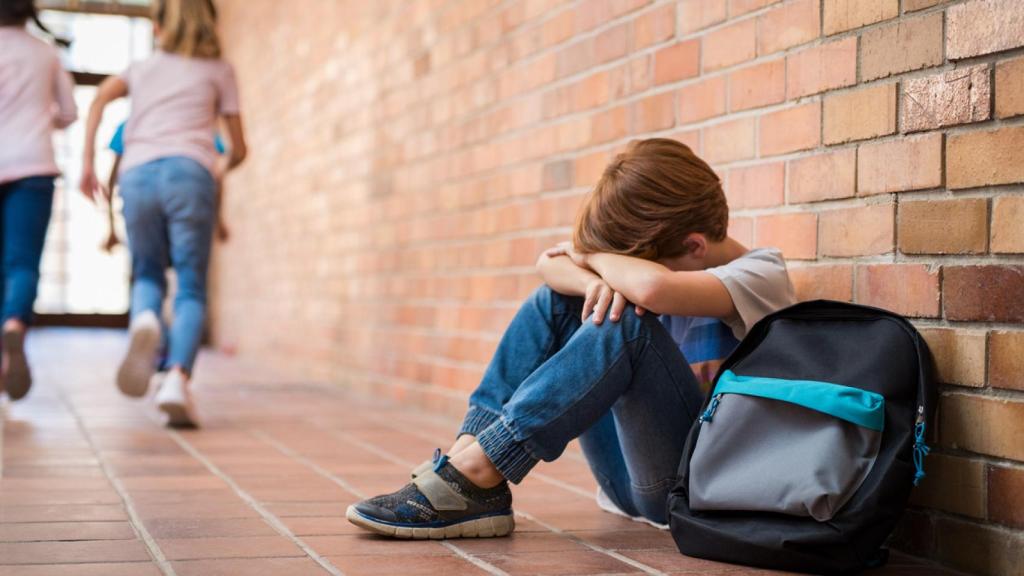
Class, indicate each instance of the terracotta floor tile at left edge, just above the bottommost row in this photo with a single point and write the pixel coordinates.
(69, 553)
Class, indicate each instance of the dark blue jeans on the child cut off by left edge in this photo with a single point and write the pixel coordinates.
(26, 207)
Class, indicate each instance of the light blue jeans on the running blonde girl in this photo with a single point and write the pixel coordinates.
(169, 212)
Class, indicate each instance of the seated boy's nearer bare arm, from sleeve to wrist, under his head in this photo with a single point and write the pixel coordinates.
(662, 291)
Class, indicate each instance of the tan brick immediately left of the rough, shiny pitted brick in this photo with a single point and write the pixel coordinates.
(861, 114)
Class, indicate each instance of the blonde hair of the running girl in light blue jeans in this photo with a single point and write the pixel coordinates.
(188, 28)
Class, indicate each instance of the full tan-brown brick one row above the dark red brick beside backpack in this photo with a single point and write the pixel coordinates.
(944, 227)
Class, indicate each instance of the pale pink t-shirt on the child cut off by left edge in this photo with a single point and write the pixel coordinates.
(35, 98)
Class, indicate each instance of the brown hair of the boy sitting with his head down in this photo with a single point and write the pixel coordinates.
(651, 197)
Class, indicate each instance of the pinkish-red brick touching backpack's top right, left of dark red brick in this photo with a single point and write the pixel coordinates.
(909, 290)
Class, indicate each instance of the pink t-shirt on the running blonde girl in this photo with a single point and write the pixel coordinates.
(176, 102)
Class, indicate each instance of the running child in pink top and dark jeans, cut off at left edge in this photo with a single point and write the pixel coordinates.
(35, 98)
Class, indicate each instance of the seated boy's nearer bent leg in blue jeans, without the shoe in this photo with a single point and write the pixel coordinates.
(632, 366)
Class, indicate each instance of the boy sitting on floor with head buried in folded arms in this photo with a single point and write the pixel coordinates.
(651, 295)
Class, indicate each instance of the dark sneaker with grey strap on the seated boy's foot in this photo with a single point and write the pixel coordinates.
(440, 504)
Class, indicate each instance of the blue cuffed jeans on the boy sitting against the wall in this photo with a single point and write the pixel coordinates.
(624, 389)
